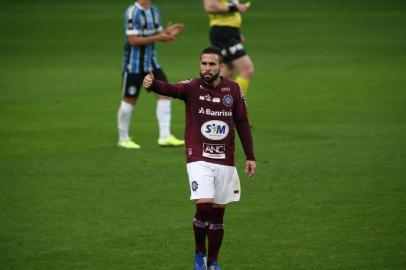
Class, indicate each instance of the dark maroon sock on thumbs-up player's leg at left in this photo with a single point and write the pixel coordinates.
(201, 224)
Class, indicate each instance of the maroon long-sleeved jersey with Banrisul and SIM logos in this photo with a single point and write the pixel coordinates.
(211, 116)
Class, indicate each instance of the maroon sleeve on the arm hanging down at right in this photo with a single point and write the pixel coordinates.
(243, 127)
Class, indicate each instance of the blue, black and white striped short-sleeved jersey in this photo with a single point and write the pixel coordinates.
(144, 23)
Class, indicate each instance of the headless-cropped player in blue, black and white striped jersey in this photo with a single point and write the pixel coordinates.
(143, 28)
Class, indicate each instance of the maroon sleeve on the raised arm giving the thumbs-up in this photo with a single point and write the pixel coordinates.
(178, 90)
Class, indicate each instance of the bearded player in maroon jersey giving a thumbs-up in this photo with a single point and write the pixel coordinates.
(214, 107)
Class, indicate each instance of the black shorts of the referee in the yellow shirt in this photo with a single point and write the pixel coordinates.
(228, 39)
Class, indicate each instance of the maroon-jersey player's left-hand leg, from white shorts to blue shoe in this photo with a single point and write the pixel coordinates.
(201, 191)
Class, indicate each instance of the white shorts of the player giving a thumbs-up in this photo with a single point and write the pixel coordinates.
(216, 181)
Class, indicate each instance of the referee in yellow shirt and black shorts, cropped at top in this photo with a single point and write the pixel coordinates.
(225, 23)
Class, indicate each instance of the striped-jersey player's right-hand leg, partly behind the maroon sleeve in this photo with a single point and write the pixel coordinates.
(163, 114)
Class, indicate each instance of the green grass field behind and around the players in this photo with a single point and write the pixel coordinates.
(328, 107)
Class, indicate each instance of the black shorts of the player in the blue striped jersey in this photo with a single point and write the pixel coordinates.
(132, 82)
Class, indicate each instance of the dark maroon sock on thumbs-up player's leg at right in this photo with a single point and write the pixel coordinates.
(215, 233)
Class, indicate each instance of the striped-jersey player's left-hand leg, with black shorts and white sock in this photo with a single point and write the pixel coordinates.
(130, 94)
